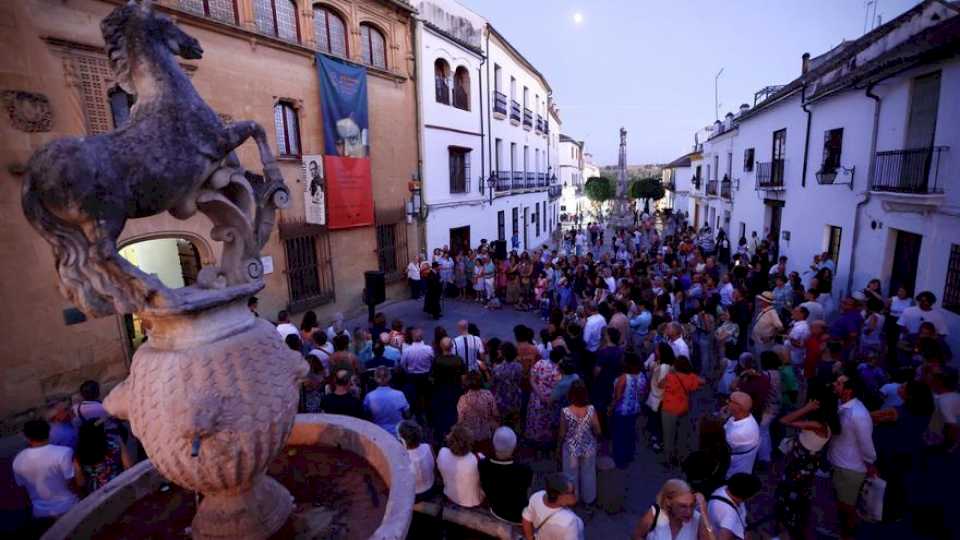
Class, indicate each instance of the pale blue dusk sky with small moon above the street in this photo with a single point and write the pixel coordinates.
(650, 66)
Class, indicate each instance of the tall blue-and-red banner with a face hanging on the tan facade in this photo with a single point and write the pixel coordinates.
(343, 102)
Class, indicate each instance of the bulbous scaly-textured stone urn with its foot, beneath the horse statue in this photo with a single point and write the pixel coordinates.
(212, 395)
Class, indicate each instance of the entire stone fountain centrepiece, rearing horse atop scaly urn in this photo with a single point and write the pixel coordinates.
(213, 393)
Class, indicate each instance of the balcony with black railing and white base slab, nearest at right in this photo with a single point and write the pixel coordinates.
(909, 180)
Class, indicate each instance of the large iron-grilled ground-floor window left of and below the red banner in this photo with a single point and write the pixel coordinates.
(308, 264)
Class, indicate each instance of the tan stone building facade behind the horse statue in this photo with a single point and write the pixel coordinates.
(258, 64)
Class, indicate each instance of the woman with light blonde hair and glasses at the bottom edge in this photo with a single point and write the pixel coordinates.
(678, 514)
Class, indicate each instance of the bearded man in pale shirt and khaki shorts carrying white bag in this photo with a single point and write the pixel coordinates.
(851, 451)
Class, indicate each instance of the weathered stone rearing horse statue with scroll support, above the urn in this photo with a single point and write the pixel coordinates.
(174, 155)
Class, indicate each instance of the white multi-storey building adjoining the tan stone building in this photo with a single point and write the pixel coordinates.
(484, 126)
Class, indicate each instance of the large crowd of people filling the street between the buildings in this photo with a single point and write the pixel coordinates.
(738, 369)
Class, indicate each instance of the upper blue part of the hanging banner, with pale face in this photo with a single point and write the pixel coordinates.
(343, 102)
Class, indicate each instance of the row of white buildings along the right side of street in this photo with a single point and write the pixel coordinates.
(857, 157)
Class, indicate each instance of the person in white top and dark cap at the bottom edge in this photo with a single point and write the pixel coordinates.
(548, 515)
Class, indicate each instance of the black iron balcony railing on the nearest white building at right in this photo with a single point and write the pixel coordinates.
(916, 170)
